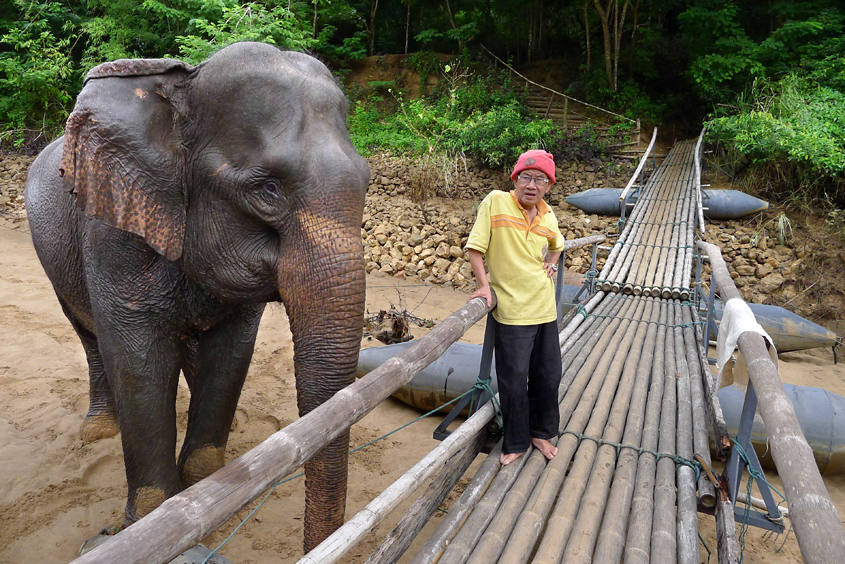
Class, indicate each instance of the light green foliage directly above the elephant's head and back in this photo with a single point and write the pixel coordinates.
(243, 22)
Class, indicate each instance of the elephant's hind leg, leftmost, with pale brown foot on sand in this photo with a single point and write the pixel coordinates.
(101, 420)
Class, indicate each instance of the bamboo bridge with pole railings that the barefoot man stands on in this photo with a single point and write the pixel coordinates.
(638, 409)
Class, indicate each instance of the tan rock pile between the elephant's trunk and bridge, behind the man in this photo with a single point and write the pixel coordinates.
(426, 241)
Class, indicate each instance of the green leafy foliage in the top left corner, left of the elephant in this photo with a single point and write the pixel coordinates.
(37, 74)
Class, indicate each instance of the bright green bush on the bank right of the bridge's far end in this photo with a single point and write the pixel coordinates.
(791, 130)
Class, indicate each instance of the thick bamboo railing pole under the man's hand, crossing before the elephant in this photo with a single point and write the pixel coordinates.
(188, 517)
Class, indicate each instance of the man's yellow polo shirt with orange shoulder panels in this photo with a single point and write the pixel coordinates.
(515, 252)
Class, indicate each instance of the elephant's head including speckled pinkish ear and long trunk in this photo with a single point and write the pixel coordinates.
(239, 171)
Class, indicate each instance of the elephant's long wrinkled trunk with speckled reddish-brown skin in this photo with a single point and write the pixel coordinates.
(324, 299)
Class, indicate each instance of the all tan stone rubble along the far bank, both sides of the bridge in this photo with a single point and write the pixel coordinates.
(425, 243)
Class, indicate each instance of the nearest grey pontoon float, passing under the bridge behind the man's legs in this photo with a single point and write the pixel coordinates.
(821, 413)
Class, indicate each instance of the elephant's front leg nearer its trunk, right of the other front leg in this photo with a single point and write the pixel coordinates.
(215, 370)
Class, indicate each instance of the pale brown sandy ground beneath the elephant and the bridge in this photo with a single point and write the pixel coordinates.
(56, 492)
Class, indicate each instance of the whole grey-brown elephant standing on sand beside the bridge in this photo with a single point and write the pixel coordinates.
(179, 202)
